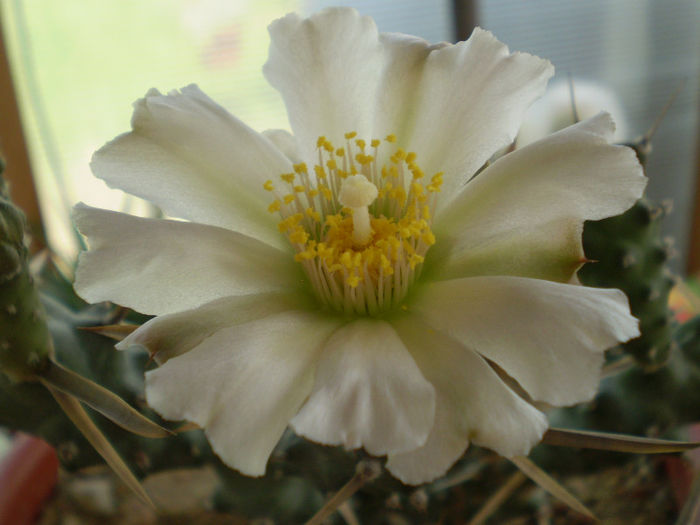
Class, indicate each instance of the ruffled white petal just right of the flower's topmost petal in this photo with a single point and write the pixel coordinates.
(470, 103)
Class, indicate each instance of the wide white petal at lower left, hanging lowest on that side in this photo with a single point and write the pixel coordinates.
(243, 384)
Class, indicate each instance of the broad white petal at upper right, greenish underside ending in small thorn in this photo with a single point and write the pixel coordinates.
(524, 214)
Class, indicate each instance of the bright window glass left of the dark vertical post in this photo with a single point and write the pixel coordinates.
(79, 66)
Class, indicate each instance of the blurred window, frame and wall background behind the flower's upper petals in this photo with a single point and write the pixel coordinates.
(77, 66)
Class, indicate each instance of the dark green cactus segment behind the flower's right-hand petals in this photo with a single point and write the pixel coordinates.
(631, 255)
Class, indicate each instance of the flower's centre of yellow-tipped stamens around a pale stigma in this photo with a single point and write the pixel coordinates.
(361, 232)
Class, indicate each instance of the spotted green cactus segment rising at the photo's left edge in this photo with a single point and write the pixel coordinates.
(25, 344)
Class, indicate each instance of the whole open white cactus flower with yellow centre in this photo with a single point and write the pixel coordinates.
(353, 280)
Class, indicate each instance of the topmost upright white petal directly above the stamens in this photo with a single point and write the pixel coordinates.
(326, 68)
